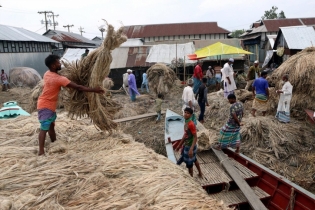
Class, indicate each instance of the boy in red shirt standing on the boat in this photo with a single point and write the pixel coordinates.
(190, 142)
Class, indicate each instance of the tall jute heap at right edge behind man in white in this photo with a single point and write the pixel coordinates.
(301, 70)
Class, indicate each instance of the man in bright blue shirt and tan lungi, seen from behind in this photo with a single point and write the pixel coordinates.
(261, 93)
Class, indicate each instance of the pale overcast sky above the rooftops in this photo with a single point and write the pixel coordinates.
(230, 14)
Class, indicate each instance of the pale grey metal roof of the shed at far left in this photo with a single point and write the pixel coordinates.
(10, 33)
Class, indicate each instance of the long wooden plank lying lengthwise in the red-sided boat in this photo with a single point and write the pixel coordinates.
(251, 197)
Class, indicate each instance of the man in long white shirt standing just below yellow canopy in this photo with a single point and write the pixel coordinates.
(228, 78)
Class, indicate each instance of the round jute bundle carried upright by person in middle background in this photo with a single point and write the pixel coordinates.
(161, 78)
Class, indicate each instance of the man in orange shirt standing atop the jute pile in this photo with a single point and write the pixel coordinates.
(47, 101)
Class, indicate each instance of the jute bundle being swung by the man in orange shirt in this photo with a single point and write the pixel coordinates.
(91, 72)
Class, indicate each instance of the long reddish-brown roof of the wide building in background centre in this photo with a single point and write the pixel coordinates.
(141, 31)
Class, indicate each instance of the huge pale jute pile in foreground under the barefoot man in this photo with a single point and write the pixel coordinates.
(95, 171)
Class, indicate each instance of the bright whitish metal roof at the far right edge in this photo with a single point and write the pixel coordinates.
(298, 38)
